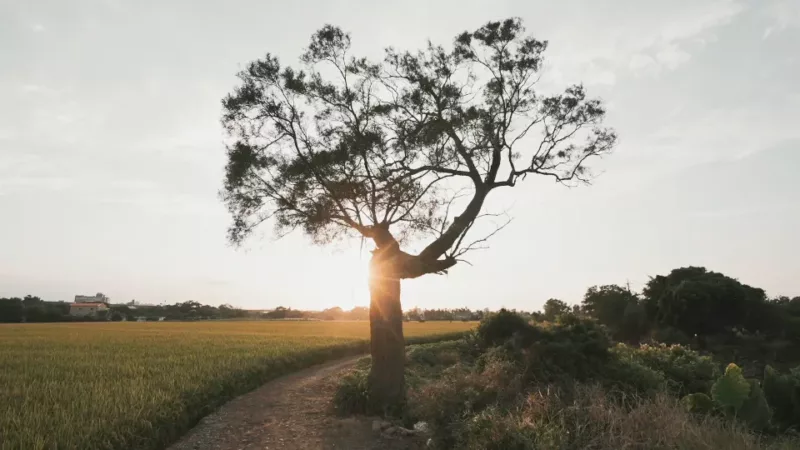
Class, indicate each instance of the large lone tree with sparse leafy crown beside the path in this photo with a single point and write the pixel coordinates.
(401, 150)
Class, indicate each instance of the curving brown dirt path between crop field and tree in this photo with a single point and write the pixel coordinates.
(292, 412)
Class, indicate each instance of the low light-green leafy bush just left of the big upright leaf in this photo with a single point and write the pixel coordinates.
(687, 371)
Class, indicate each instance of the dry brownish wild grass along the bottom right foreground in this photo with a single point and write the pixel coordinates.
(585, 416)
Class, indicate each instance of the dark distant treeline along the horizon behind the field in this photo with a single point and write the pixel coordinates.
(688, 305)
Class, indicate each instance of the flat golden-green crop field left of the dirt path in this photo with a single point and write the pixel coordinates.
(140, 385)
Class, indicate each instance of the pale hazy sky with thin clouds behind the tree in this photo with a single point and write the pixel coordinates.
(111, 153)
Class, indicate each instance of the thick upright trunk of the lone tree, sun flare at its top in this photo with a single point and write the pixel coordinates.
(387, 345)
